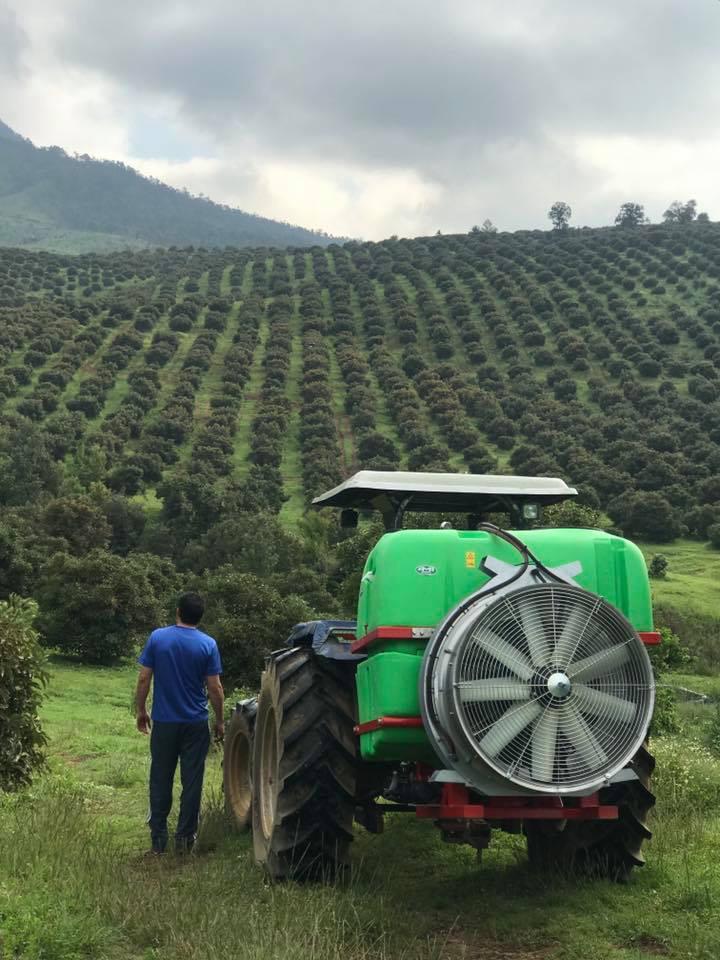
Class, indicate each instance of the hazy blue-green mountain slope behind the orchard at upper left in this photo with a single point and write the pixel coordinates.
(49, 200)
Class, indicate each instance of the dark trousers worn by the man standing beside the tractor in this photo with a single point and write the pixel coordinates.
(170, 742)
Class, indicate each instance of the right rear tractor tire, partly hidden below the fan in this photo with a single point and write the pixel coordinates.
(600, 848)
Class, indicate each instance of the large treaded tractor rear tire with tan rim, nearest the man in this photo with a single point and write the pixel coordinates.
(304, 767)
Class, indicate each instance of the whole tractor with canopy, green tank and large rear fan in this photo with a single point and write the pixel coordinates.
(495, 679)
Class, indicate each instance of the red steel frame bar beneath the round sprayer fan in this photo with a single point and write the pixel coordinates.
(455, 805)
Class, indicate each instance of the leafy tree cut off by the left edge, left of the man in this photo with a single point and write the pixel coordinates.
(22, 676)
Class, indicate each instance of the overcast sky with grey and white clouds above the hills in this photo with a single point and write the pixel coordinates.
(381, 117)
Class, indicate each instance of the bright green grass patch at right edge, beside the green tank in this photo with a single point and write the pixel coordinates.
(693, 576)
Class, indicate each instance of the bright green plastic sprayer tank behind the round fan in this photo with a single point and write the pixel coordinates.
(412, 578)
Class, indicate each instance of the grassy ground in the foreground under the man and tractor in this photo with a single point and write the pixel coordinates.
(74, 884)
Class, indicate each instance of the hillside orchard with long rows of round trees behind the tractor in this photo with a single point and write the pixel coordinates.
(206, 382)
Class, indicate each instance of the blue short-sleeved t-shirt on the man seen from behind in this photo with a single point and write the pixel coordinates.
(180, 658)
